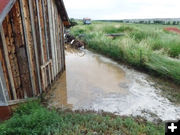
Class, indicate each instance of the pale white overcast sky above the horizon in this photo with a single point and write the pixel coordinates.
(123, 9)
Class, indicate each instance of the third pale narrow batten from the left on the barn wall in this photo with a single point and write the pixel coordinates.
(35, 43)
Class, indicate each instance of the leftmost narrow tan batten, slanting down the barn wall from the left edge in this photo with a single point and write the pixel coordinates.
(10, 73)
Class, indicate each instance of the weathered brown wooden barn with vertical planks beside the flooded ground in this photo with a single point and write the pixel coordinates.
(31, 49)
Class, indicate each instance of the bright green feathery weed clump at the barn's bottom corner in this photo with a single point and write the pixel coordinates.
(32, 119)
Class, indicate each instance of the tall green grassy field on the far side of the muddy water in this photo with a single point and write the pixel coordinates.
(144, 46)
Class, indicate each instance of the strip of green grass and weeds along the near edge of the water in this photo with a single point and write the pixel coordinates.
(34, 119)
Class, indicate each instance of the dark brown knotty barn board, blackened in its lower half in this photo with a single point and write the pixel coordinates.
(20, 48)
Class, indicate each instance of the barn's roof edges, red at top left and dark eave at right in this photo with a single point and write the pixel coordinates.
(6, 5)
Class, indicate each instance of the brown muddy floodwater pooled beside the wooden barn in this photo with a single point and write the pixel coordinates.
(94, 82)
